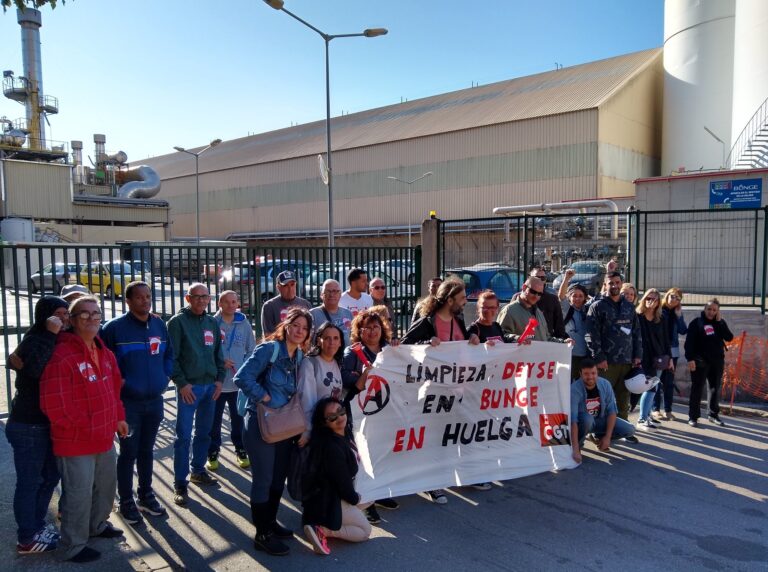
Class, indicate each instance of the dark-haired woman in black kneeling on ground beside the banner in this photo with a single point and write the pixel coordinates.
(329, 498)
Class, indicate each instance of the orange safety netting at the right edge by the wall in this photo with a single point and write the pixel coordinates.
(745, 367)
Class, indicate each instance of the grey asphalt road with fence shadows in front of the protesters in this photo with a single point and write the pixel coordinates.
(682, 499)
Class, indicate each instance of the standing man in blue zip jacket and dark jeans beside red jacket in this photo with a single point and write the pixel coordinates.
(139, 340)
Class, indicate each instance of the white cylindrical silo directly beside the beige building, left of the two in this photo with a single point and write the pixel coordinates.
(698, 83)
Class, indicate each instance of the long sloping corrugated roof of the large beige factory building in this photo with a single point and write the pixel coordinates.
(566, 90)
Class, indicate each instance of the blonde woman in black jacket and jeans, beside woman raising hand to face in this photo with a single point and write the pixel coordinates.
(656, 350)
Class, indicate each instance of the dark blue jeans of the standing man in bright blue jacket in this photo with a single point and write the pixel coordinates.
(143, 418)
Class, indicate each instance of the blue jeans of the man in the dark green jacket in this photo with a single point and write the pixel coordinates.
(201, 411)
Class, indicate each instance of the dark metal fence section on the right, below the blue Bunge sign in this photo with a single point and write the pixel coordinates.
(704, 252)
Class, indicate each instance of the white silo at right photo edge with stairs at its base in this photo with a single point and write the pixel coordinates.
(750, 66)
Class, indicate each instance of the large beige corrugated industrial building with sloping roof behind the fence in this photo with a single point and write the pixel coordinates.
(581, 132)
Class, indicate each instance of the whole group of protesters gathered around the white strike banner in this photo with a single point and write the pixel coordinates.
(80, 382)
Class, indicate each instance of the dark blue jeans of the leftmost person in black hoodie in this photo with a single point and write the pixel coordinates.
(36, 476)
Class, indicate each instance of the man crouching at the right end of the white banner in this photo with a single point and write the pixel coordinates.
(594, 411)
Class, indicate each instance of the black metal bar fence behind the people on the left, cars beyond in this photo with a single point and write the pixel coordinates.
(30, 271)
